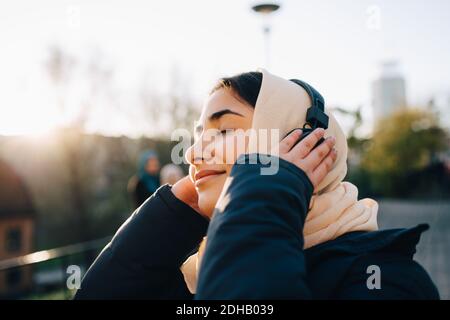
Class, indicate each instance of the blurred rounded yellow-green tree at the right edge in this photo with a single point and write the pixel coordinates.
(404, 143)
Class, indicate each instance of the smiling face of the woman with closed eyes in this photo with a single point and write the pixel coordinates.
(218, 143)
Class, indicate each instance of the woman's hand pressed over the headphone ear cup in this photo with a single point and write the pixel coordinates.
(316, 163)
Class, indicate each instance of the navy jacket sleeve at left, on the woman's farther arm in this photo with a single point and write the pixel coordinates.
(143, 259)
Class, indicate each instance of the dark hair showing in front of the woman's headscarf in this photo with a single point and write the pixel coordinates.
(246, 86)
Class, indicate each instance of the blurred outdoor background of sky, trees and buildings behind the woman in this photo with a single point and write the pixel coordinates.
(90, 92)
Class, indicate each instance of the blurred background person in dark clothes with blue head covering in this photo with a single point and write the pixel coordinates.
(147, 180)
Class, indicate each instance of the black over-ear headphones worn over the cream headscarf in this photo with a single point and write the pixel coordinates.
(315, 115)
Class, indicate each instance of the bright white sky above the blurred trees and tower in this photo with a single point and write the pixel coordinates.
(325, 42)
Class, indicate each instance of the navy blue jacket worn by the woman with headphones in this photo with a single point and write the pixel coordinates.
(254, 249)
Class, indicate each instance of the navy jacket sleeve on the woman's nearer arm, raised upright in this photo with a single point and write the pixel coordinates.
(254, 244)
